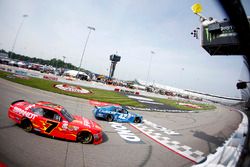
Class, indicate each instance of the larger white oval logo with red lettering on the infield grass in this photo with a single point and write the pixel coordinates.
(71, 88)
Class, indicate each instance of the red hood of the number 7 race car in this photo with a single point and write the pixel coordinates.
(86, 123)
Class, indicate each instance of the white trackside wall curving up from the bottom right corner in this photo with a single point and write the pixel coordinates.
(229, 154)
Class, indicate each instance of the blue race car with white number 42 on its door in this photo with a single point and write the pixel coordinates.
(116, 113)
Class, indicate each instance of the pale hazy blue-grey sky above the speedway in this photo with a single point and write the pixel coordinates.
(130, 28)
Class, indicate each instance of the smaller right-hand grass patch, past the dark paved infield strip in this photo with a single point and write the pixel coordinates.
(175, 104)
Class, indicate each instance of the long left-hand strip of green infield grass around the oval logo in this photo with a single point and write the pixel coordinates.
(97, 94)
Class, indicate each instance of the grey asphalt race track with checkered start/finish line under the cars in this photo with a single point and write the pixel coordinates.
(164, 139)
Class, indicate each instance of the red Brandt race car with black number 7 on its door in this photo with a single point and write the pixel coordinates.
(54, 120)
